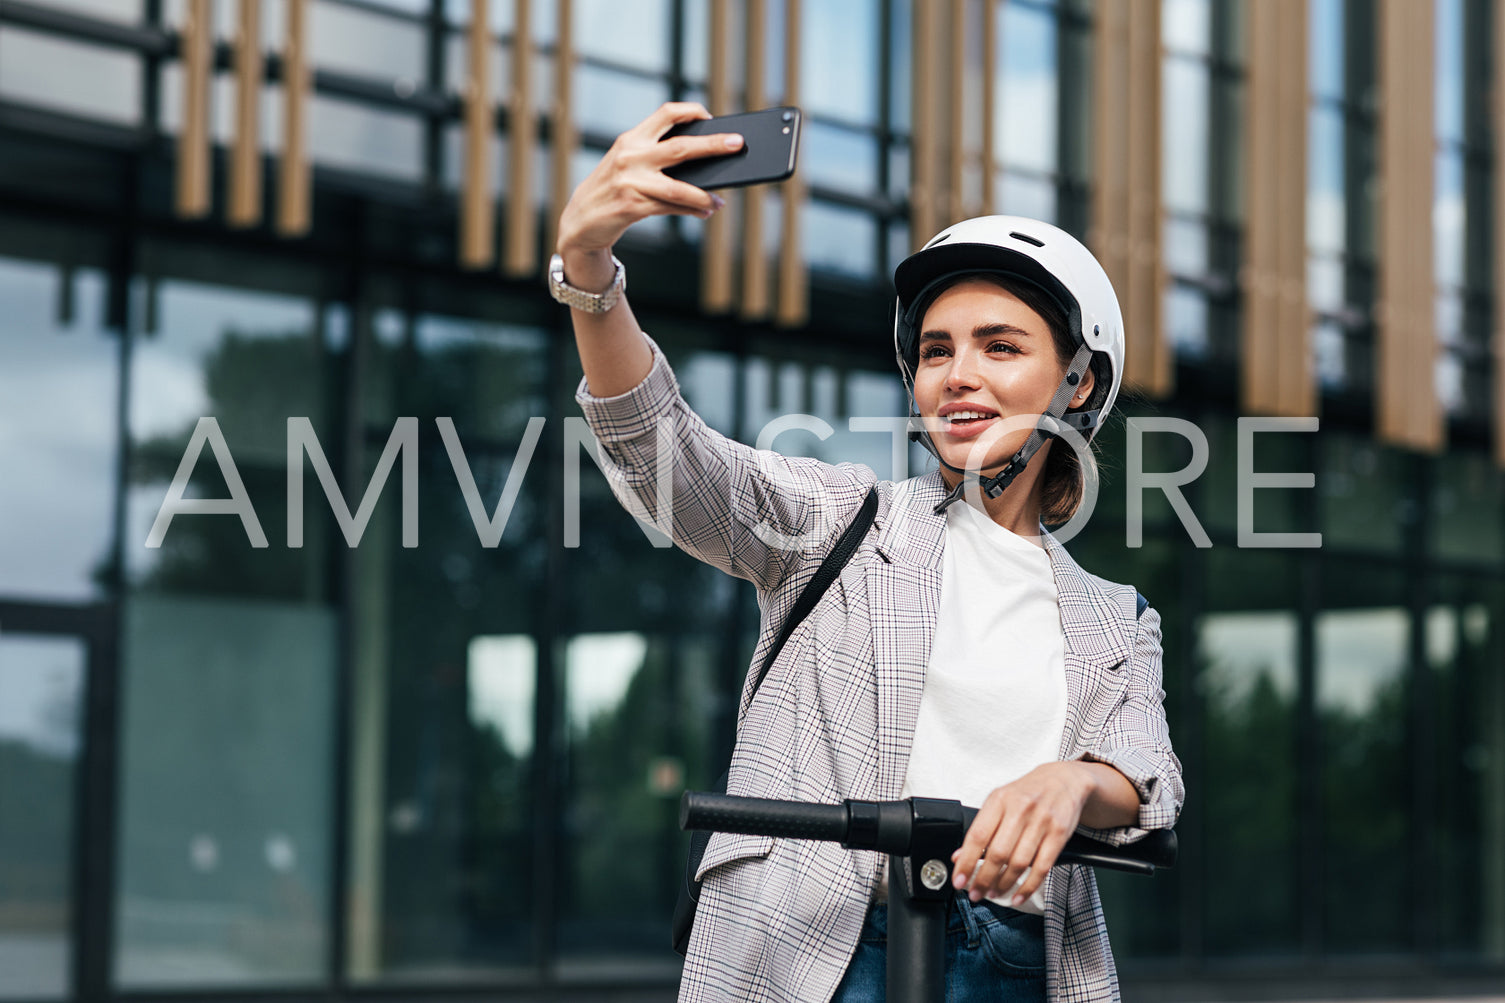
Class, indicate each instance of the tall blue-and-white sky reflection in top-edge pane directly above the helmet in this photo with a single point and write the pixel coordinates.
(1027, 97)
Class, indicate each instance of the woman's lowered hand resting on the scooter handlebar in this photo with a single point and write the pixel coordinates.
(1021, 831)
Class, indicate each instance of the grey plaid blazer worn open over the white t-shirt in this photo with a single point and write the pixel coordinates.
(836, 715)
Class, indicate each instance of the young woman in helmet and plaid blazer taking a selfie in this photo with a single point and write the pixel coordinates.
(962, 654)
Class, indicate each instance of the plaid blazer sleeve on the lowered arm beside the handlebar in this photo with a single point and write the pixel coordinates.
(1137, 742)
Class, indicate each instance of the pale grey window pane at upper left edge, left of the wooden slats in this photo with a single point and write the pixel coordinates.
(73, 78)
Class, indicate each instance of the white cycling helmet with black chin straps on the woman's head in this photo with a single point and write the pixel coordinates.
(1059, 266)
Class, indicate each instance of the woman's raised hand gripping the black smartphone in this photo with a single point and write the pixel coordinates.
(630, 186)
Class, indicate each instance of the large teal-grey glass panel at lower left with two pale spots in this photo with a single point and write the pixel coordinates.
(225, 812)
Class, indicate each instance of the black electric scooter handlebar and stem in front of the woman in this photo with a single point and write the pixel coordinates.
(919, 835)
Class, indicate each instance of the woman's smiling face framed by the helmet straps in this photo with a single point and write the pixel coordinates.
(985, 358)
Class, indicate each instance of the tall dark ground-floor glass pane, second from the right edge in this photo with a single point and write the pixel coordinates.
(1363, 641)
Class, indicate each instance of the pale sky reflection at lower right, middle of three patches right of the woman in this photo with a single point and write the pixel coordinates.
(1360, 653)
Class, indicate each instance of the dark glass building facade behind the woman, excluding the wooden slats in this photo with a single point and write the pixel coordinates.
(348, 743)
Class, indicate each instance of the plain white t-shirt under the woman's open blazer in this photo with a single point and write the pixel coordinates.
(994, 706)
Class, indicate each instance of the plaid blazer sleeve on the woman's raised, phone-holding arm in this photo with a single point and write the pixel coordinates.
(750, 513)
